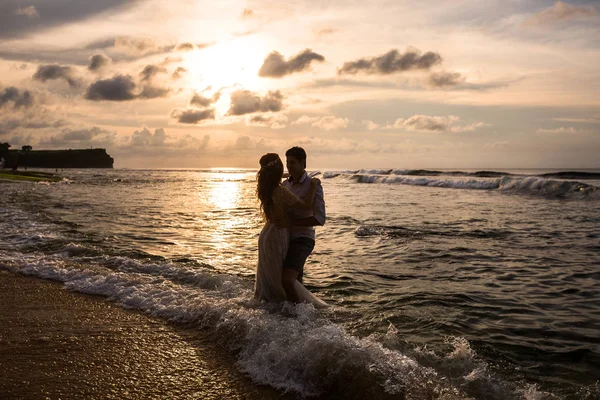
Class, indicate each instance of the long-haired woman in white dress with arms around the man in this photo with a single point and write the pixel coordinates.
(274, 238)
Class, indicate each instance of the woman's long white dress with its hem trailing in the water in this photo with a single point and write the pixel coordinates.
(273, 243)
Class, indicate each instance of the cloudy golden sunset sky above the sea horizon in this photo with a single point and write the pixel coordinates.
(378, 84)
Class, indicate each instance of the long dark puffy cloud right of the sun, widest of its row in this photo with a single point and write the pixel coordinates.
(392, 62)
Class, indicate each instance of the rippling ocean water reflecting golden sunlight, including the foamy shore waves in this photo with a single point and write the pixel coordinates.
(442, 284)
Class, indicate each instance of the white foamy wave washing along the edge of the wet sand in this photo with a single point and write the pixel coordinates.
(305, 354)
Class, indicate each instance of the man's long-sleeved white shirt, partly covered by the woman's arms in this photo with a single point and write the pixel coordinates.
(301, 189)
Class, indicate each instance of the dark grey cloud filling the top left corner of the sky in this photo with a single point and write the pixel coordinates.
(17, 20)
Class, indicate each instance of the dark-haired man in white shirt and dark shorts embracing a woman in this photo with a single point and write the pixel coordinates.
(302, 231)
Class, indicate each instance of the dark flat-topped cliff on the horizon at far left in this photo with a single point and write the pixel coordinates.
(83, 158)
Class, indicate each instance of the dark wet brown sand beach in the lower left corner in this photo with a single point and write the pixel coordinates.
(59, 344)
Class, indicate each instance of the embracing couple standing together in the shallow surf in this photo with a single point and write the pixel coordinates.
(291, 209)
